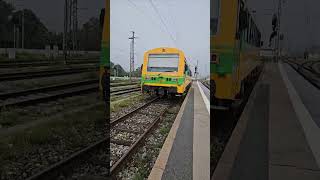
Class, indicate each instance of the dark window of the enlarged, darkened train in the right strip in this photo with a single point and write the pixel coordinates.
(215, 17)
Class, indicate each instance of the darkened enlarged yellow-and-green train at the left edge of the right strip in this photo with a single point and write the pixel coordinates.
(235, 43)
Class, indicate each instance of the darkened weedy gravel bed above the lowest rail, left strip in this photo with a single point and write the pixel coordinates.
(37, 157)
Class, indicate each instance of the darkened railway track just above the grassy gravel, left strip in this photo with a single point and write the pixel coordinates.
(49, 93)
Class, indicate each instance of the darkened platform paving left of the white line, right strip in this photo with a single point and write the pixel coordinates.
(274, 142)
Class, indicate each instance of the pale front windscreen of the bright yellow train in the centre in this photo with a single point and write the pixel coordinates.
(163, 63)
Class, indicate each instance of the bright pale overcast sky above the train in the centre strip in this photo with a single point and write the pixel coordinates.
(186, 27)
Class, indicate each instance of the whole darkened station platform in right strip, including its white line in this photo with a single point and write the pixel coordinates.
(278, 134)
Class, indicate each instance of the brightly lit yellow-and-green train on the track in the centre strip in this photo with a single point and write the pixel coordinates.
(165, 71)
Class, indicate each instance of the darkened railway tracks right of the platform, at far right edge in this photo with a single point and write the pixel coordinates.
(307, 70)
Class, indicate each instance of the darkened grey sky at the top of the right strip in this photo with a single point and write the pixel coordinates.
(298, 34)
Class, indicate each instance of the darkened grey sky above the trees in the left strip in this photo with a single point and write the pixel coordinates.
(51, 12)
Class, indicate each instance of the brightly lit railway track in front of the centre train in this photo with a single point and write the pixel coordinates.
(129, 131)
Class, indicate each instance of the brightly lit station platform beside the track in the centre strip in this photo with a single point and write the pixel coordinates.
(186, 151)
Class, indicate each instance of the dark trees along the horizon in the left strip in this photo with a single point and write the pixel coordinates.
(36, 34)
